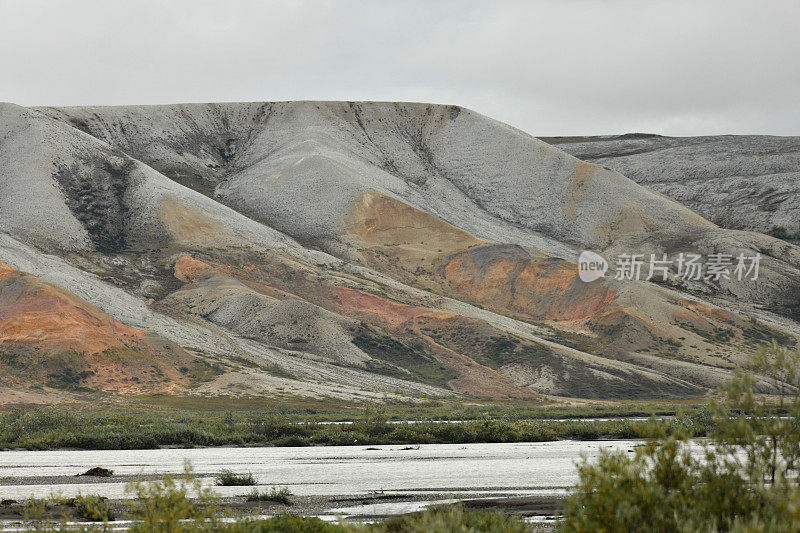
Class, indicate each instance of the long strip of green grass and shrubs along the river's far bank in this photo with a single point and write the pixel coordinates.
(59, 428)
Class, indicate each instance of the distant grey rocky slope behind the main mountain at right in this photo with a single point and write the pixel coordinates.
(749, 182)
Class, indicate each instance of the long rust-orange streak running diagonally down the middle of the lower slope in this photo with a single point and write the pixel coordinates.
(405, 323)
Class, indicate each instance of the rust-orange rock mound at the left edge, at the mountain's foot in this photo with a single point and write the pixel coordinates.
(55, 335)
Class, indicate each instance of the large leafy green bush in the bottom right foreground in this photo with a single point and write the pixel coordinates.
(744, 479)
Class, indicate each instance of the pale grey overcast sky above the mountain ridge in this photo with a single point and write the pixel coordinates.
(549, 68)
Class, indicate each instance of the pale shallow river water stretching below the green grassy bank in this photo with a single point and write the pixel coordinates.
(480, 469)
